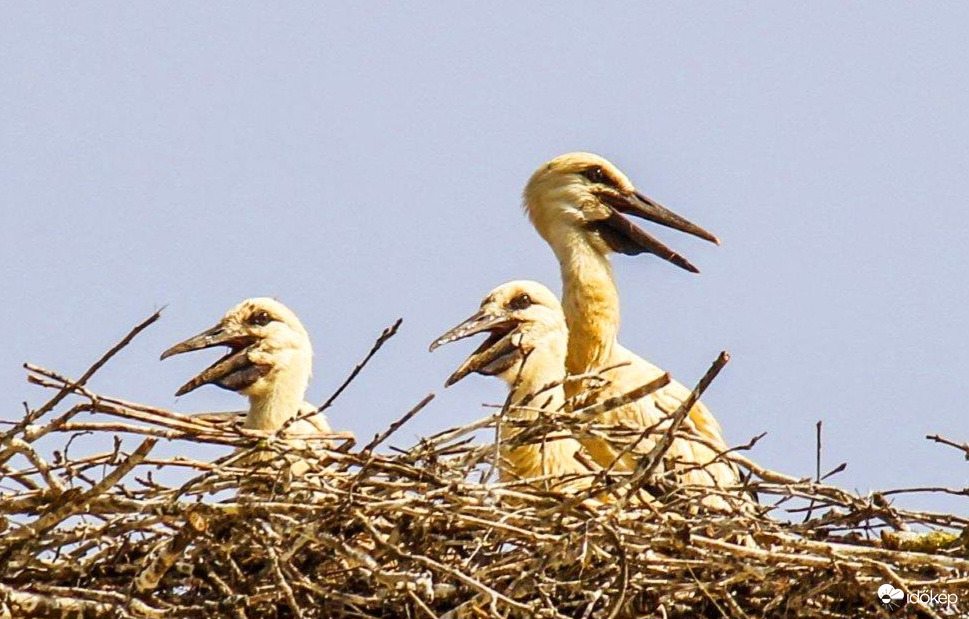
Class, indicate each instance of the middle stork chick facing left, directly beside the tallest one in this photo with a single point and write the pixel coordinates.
(526, 348)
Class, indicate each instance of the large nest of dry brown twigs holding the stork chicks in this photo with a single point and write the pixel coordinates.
(427, 531)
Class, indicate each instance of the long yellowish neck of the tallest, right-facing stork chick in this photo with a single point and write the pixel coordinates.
(590, 301)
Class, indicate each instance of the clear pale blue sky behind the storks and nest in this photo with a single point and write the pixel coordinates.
(365, 161)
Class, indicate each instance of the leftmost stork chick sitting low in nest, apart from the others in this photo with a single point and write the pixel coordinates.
(270, 361)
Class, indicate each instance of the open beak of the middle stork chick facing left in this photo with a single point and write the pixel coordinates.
(495, 355)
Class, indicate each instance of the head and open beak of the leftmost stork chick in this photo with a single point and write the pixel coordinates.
(267, 345)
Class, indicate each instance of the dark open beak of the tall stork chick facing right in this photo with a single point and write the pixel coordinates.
(625, 237)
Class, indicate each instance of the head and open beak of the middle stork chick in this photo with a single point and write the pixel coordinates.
(523, 319)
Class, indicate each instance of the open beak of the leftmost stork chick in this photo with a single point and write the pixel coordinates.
(234, 371)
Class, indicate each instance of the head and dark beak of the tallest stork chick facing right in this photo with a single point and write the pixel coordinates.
(586, 195)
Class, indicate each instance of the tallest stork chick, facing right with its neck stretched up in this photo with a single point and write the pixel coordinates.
(578, 203)
